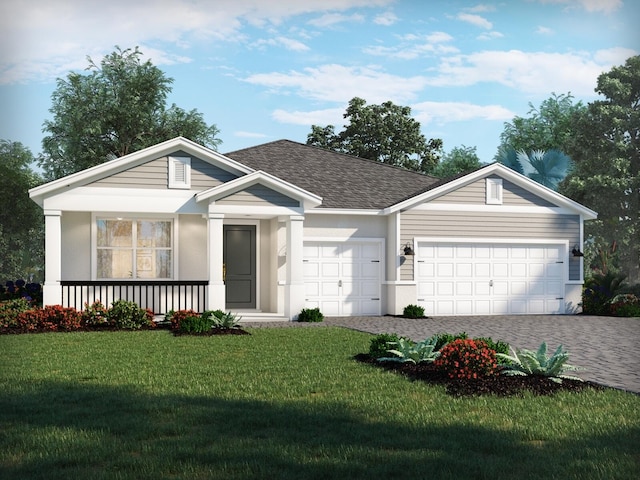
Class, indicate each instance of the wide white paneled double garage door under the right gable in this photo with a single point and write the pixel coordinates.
(490, 279)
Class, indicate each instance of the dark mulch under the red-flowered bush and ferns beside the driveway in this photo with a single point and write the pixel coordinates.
(498, 385)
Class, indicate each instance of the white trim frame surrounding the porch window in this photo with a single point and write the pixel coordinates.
(124, 216)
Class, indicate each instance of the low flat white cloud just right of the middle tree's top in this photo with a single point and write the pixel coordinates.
(446, 112)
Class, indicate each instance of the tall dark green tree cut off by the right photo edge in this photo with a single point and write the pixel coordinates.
(606, 152)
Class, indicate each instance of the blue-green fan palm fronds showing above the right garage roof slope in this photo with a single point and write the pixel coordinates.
(547, 168)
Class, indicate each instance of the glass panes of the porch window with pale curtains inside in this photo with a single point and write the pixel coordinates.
(134, 248)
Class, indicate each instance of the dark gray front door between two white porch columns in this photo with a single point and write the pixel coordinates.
(239, 250)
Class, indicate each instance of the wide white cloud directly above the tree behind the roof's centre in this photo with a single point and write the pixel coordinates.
(338, 83)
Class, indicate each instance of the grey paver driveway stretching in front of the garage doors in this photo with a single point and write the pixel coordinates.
(608, 348)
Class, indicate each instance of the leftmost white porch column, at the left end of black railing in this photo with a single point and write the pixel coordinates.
(51, 289)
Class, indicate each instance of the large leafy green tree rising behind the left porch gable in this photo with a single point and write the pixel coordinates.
(116, 109)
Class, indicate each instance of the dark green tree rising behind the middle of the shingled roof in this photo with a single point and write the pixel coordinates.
(385, 133)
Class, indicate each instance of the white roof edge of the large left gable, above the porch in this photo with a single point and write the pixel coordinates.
(38, 194)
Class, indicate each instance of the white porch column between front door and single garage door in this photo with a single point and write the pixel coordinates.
(294, 286)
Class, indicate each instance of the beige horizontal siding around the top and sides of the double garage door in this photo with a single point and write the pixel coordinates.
(416, 223)
